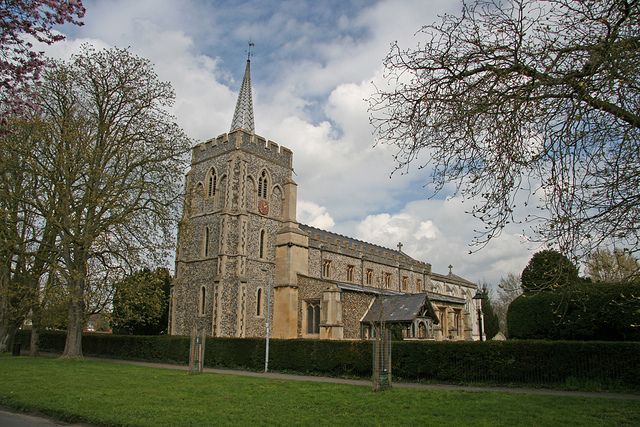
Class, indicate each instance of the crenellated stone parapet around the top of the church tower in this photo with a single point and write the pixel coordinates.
(242, 140)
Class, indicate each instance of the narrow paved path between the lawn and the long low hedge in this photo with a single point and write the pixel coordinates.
(367, 383)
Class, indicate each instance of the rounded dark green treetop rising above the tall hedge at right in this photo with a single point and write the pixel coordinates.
(548, 270)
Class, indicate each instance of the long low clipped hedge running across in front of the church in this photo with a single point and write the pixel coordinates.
(518, 362)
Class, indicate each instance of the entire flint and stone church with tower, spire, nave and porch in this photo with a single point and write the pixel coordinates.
(245, 264)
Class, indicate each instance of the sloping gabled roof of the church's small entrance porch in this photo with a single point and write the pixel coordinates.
(399, 309)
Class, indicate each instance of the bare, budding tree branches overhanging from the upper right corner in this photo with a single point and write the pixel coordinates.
(522, 102)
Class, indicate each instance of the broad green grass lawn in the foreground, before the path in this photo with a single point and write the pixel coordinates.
(115, 394)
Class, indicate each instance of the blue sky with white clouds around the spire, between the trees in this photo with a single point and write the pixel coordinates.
(314, 64)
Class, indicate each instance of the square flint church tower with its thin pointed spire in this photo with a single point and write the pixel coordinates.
(239, 245)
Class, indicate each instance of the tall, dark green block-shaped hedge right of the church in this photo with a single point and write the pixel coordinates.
(598, 311)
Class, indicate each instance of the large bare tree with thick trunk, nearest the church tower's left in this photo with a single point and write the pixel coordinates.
(112, 158)
